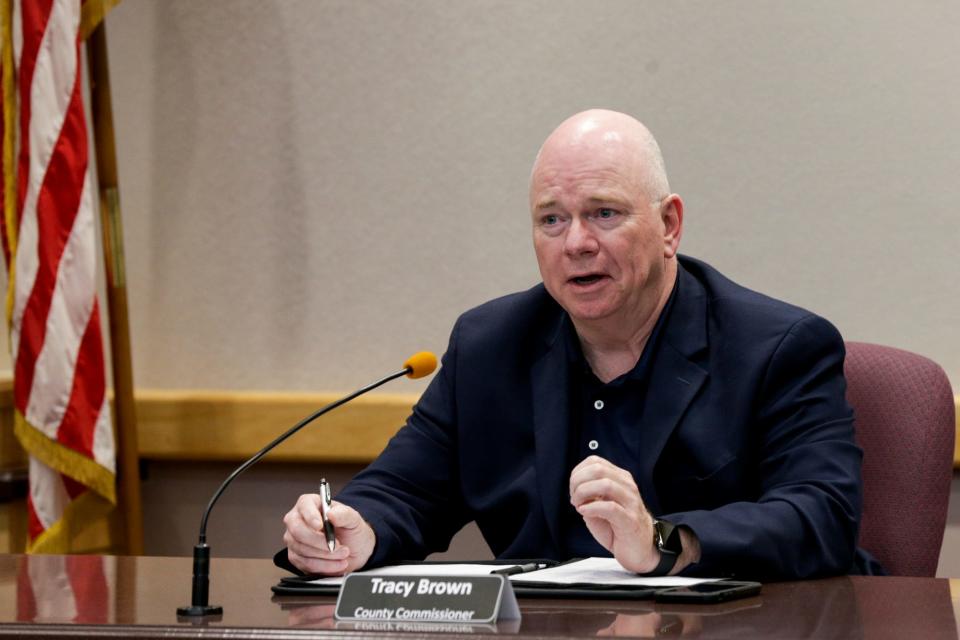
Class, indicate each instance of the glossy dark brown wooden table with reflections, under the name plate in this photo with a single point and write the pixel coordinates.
(102, 596)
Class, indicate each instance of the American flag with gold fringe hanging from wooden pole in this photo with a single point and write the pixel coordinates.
(62, 410)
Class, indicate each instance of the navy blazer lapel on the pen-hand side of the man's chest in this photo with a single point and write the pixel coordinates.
(550, 389)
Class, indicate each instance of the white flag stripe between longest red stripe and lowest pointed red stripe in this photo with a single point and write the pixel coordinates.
(67, 319)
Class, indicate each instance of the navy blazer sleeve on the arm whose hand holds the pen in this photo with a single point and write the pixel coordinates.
(410, 494)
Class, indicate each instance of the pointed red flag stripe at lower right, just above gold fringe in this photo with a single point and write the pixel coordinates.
(86, 397)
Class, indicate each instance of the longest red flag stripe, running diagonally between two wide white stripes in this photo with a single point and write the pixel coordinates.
(57, 206)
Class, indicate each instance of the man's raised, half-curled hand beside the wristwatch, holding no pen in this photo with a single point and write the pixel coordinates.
(610, 503)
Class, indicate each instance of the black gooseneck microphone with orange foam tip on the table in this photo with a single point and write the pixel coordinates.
(417, 366)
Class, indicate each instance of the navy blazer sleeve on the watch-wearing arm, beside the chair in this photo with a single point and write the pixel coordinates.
(805, 521)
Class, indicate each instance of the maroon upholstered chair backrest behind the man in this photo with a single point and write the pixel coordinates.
(905, 424)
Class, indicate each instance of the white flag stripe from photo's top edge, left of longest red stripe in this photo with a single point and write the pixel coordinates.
(53, 78)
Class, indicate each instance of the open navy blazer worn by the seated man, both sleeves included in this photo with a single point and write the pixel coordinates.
(746, 436)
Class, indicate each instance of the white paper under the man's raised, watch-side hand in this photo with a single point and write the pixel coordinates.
(601, 571)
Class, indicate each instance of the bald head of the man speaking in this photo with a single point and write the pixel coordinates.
(605, 226)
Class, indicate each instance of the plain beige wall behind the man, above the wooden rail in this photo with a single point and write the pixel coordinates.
(314, 189)
